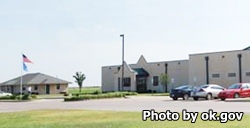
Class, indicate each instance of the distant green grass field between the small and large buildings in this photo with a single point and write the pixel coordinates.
(85, 90)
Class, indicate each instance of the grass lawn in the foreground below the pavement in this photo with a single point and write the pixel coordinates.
(101, 119)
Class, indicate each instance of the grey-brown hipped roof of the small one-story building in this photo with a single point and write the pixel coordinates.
(35, 78)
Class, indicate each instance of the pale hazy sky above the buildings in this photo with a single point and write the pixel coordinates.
(62, 37)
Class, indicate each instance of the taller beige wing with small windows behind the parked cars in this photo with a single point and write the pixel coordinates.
(223, 68)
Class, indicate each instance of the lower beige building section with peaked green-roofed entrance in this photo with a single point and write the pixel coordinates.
(144, 76)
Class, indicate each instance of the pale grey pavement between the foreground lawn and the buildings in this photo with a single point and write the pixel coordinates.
(133, 103)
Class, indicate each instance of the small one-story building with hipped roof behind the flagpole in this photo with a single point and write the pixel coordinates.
(38, 83)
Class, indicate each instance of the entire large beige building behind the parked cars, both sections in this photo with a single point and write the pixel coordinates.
(223, 68)
